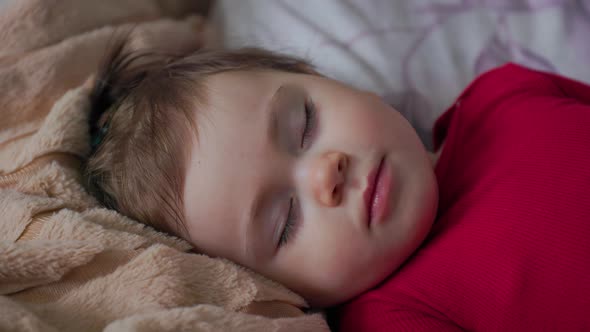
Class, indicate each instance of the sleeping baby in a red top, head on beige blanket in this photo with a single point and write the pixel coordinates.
(255, 157)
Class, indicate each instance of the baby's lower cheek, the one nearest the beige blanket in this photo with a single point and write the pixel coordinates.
(332, 261)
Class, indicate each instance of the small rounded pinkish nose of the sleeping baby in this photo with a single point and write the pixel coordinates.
(328, 177)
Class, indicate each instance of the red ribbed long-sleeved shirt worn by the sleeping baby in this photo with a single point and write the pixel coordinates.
(510, 248)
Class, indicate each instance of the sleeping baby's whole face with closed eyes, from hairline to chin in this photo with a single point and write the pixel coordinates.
(251, 161)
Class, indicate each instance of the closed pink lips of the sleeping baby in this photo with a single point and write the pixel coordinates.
(377, 194)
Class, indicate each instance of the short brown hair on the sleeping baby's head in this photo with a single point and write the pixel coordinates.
(143, 106)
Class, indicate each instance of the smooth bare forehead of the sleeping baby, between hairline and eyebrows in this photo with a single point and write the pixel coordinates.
(227, 160)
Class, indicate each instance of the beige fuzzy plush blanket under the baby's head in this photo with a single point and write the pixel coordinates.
(67, 264)
